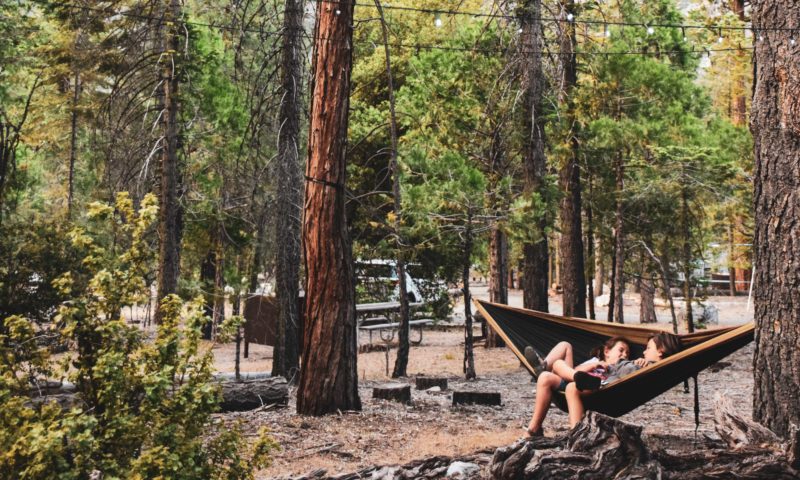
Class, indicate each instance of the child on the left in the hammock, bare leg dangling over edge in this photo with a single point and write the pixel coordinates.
(556, 372)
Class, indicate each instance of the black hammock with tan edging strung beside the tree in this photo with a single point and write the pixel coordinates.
(520, 327)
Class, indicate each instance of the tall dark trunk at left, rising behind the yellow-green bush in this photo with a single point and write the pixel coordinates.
(169, 210)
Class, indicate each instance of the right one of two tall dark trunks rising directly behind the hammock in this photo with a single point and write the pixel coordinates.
(573, 279)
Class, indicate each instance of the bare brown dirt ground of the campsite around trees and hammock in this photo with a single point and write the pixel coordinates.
(388, 433)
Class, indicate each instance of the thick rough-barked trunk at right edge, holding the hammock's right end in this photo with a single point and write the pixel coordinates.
(775, 123)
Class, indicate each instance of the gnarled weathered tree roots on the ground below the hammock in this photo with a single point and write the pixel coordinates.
(601, 447)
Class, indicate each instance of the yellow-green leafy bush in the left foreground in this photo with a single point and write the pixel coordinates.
(145, 405)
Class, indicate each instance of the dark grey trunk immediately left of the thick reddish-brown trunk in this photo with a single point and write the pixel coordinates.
(289, 193)
